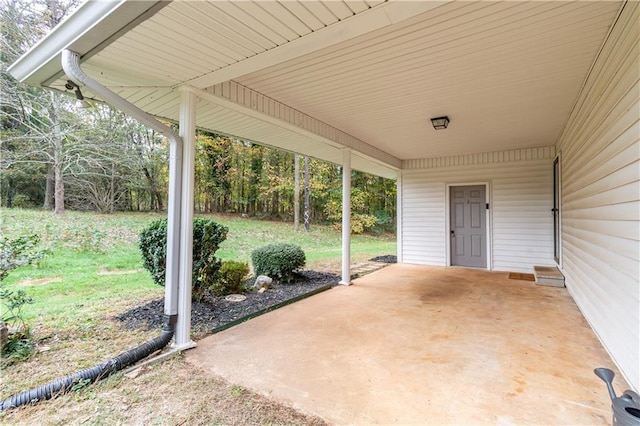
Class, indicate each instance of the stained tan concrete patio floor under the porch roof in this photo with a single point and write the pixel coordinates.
(423, 345)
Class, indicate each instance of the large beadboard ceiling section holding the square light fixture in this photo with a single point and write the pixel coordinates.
(505, 73)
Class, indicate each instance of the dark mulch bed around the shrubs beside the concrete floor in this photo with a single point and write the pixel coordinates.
(216, 312)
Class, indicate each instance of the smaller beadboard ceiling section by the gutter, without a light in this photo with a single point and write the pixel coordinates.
(188, 39)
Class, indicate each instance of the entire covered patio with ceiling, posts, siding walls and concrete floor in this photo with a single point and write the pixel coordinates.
(539, 166)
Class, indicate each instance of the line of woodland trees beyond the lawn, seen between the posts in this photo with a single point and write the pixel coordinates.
(57, 154)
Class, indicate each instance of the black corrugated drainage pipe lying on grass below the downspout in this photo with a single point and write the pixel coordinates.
(92, 374)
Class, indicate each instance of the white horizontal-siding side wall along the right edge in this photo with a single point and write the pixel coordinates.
(600, 196)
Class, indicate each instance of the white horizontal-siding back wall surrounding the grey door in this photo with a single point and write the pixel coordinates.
(520, 194)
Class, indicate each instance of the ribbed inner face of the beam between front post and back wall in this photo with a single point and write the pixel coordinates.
(281, 115)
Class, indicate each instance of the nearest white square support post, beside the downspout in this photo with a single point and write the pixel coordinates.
(188, 133)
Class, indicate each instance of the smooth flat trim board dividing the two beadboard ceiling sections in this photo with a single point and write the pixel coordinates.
(380, 16)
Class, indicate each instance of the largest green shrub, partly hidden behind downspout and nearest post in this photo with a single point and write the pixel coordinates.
(207, 236)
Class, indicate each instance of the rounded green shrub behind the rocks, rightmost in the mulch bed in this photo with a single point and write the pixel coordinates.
(278, 261)
